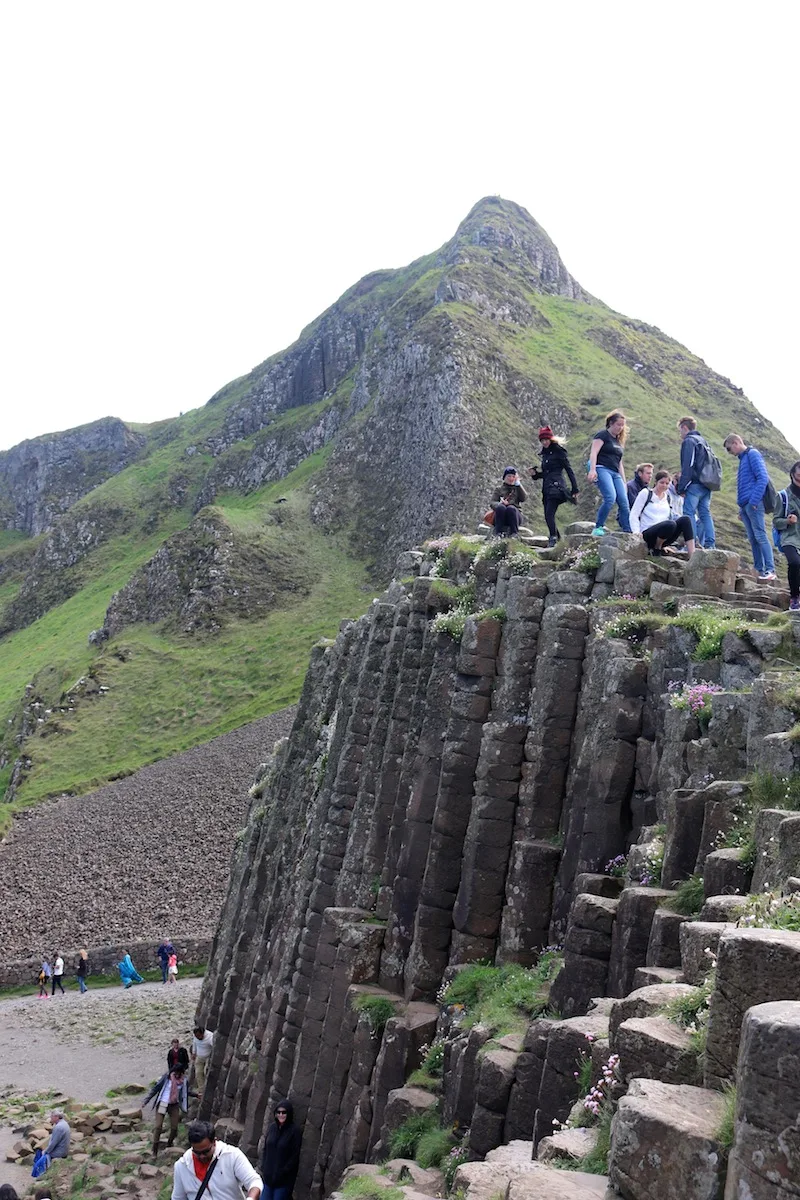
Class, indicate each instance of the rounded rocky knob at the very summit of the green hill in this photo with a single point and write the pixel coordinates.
(506, 229)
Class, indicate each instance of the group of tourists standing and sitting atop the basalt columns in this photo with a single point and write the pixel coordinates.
(663, 507)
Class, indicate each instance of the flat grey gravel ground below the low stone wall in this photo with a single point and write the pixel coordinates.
(83, 1046)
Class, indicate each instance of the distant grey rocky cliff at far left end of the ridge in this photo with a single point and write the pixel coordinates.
(43, 478)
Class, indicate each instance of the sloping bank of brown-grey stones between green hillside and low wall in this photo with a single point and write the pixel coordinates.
(139, 859)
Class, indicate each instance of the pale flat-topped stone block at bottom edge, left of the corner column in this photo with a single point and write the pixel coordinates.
(665, 1143)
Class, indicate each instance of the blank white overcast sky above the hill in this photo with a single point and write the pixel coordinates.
(189, 184)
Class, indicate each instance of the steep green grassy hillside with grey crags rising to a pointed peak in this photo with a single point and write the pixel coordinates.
(206, 555)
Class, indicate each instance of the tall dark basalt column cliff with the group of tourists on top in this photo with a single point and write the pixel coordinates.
(452, 794)
